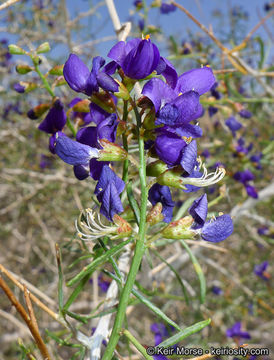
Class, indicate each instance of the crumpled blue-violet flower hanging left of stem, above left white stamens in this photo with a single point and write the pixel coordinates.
(107, 190)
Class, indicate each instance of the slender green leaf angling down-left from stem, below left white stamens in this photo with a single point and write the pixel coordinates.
(88, 270)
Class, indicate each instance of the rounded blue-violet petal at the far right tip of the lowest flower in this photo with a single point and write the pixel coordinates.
(218, 229)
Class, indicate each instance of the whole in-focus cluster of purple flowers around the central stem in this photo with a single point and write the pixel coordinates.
(167, 105)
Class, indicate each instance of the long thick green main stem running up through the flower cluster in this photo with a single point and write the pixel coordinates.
(139, 249)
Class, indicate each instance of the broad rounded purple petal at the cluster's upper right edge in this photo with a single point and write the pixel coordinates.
(199, 80)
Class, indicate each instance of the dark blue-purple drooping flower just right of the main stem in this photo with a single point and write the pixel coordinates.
(158, 193)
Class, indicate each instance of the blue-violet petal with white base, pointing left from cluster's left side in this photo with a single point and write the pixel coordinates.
(73, 152)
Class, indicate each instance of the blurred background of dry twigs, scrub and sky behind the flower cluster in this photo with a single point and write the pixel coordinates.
(41, 198)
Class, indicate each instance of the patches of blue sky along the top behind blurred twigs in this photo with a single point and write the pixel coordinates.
(176, 23)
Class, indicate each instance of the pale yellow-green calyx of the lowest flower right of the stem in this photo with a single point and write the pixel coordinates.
(179, 229)
